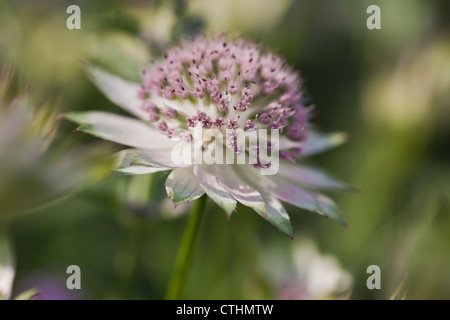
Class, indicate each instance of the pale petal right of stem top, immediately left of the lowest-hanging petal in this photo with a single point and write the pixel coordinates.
(240, 189)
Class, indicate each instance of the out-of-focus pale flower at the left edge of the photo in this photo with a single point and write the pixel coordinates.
(30, 163)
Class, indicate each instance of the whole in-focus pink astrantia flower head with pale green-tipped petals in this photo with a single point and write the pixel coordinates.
(233, 86)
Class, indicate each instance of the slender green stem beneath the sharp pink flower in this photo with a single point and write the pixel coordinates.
(184, 257)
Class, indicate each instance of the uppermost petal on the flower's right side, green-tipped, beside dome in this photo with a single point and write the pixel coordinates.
(318, 142)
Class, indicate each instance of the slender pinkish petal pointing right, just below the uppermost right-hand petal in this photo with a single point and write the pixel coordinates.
(310, 177)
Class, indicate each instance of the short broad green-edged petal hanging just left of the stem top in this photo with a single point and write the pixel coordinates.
(181, 186)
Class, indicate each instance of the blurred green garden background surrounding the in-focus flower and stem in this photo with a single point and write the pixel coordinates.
(389, 89)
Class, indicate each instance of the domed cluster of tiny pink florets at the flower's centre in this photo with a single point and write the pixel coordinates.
(223, 84)
